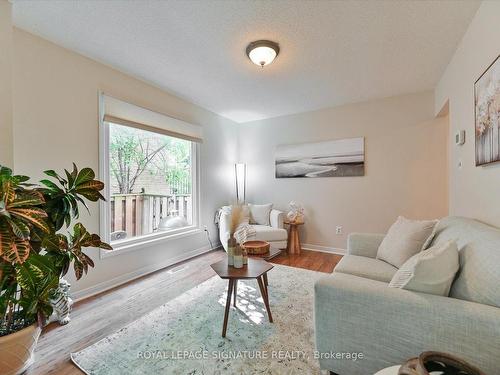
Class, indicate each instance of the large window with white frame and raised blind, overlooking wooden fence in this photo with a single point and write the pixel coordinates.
(148, 164)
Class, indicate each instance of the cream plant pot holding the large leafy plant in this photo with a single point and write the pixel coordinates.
(16, 350)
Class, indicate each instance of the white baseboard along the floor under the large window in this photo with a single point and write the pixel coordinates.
(122, 279)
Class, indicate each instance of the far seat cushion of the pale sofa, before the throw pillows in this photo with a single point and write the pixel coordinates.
(369, 268)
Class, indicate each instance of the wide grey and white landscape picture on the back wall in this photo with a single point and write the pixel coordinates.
(338, 158)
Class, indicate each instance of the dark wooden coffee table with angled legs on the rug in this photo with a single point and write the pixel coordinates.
(255, 269)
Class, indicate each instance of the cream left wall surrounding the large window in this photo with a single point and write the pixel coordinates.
(56, 123)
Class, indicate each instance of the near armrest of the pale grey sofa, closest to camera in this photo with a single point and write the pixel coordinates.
(391, 325)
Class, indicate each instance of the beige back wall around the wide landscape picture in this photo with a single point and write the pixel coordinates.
(406, 166)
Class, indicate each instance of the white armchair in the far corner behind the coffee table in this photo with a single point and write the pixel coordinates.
(274, 233)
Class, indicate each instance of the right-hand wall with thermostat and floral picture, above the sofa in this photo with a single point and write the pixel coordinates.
(474, 190)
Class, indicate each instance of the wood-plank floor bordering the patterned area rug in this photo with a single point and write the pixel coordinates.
(100, 316)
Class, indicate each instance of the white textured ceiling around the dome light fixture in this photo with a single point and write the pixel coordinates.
(332, 52)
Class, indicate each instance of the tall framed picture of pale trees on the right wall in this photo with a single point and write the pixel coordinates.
(487, 115)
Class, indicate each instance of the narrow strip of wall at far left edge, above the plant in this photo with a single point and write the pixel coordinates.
(6, 156)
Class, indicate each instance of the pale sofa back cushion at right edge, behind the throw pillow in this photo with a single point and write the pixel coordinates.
(478, 279)
